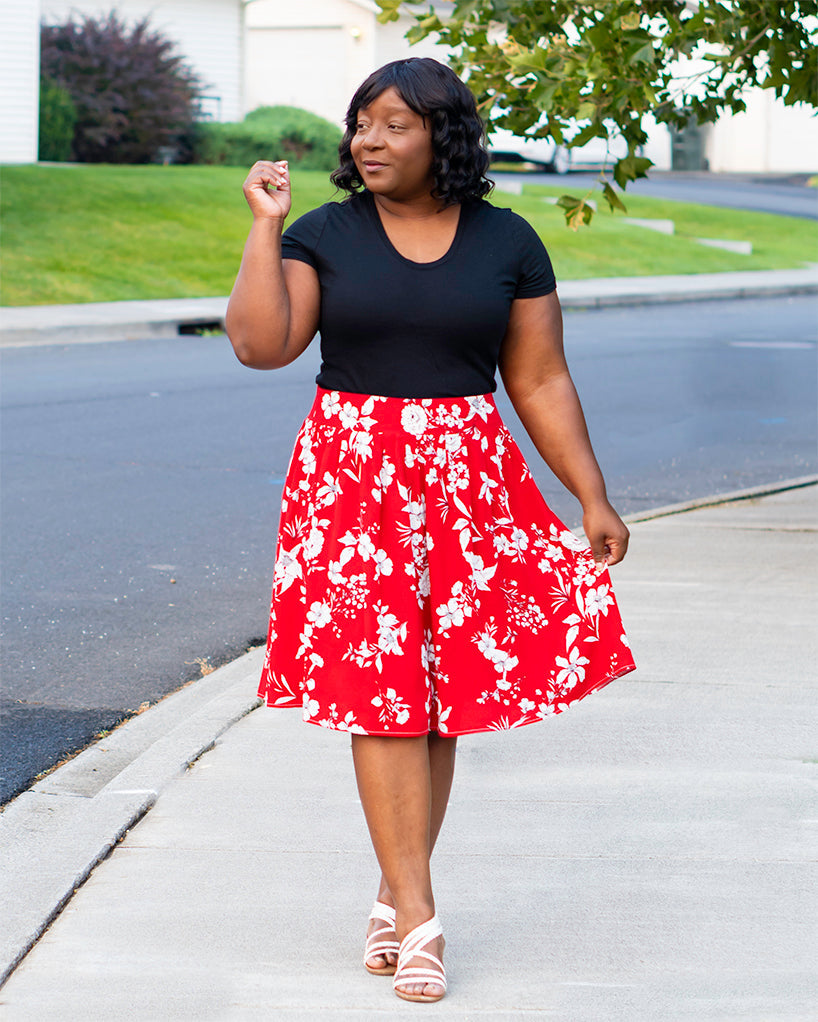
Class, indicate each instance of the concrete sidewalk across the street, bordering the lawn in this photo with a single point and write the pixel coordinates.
(164, 319)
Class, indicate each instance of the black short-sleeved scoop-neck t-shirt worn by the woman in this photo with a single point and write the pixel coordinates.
(403, 330)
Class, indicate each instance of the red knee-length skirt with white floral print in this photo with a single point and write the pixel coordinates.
(422, 582)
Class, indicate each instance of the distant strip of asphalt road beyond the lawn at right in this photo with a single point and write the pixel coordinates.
(786, 196)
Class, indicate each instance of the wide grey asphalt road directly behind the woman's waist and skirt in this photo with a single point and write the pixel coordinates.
(142, 481)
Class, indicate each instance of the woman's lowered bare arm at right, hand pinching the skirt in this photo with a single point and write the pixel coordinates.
(537, 380)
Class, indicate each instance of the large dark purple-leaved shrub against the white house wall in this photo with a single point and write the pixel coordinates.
(132, 92)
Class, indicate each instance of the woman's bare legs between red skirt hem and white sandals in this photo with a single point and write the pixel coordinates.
(404, 785)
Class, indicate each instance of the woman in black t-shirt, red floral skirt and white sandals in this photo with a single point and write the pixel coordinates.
(423, 588)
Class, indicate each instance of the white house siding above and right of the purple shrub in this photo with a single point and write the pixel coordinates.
(208, 34)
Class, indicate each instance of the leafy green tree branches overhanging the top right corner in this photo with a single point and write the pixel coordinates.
(542, 69)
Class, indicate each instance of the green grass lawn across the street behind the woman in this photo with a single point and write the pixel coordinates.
(102, 234)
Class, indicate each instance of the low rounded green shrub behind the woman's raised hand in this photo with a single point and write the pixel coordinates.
(308, 142)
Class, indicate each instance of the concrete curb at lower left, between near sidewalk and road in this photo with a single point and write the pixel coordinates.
(69, 822)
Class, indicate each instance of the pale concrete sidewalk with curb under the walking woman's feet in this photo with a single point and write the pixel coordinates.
(648, 856)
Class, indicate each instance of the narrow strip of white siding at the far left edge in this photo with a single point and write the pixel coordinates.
(20, 80)
